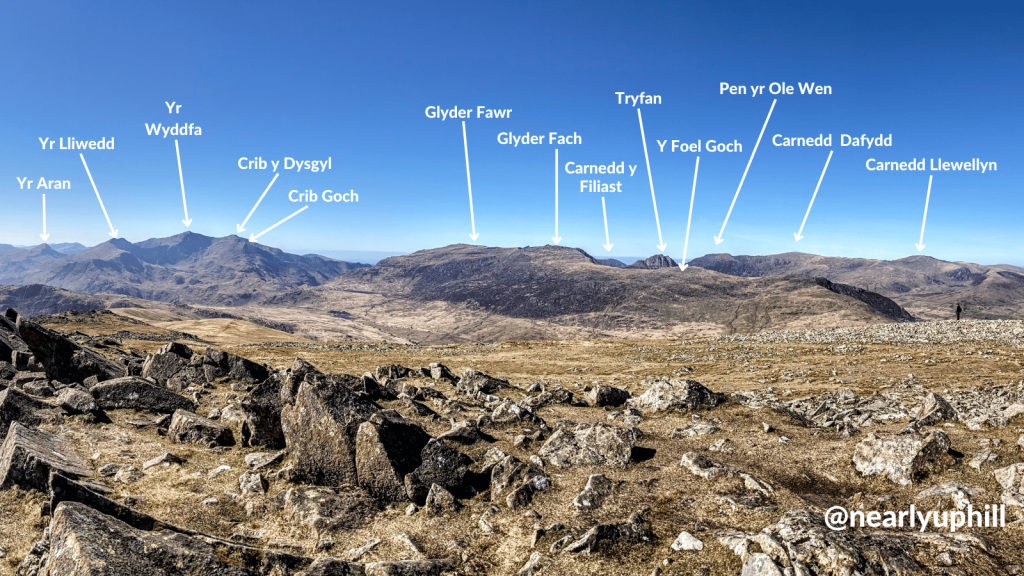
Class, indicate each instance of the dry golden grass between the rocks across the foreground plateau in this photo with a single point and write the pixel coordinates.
(814, 470)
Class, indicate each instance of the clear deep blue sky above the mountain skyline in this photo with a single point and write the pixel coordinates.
(352, 81)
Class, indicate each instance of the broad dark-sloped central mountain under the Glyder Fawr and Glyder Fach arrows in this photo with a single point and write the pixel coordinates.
(474, 293)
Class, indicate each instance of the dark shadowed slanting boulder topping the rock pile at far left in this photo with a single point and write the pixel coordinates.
(65, 360)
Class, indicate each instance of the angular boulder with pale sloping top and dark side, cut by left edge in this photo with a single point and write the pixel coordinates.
(28, 457)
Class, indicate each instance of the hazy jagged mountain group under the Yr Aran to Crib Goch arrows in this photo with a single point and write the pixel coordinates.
(188, 268)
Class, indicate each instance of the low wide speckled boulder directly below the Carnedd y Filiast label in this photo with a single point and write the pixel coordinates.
(598, 445)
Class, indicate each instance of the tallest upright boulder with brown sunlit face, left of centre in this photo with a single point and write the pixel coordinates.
(320, 431)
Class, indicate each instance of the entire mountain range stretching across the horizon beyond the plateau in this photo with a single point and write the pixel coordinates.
(475, 294)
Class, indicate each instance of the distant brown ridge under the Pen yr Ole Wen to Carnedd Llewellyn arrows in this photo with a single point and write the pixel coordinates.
(927, 287)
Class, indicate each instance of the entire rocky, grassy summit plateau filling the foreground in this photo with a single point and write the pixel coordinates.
(146, 451)
